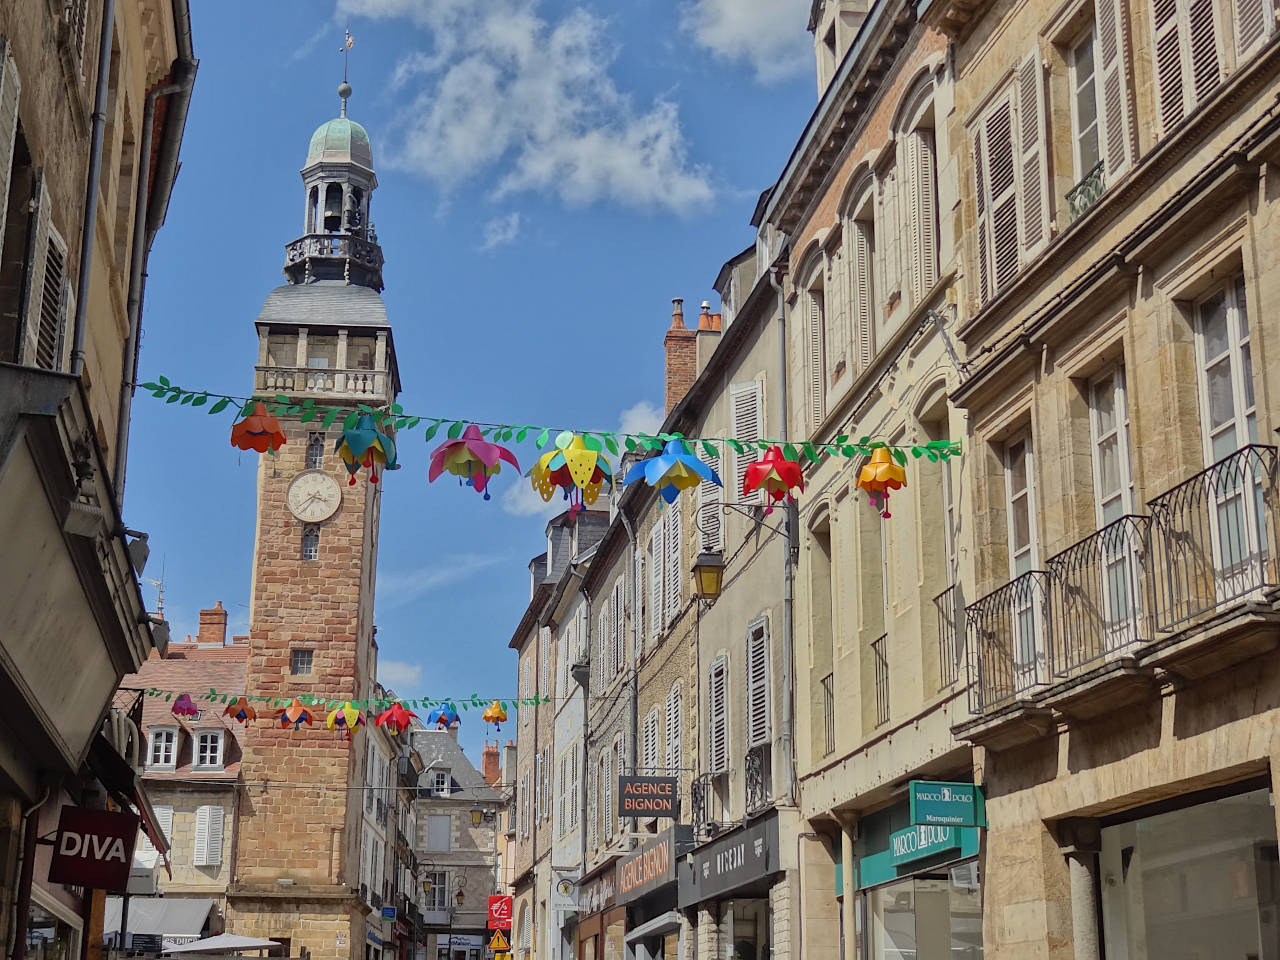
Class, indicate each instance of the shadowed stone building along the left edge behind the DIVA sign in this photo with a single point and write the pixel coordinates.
(86, 104)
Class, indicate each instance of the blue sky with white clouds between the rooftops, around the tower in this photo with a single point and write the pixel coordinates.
(551, 175)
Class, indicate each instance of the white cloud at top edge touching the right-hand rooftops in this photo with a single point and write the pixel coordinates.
(770, 35)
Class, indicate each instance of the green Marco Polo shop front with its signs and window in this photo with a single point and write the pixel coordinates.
(918, 888)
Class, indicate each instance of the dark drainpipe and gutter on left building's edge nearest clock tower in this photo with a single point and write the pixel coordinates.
(149, 218)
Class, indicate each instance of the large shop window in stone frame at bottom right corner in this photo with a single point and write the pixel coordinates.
(1194, 884)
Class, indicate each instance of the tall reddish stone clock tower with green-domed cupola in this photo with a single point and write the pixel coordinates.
(323, 336)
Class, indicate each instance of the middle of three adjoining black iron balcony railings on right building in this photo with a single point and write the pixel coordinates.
(1099, 589)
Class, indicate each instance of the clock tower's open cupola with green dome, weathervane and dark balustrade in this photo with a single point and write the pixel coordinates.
(339, 241)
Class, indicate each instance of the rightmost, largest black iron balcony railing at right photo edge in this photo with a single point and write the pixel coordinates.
(1214, 538)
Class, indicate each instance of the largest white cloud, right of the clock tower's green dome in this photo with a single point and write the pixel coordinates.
(528, 104)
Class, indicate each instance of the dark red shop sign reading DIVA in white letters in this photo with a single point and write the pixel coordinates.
(94, 849)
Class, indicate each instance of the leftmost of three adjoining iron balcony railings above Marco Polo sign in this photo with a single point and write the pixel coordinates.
(1008, 636)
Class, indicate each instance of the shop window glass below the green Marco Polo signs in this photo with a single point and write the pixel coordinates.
(935, 916)
